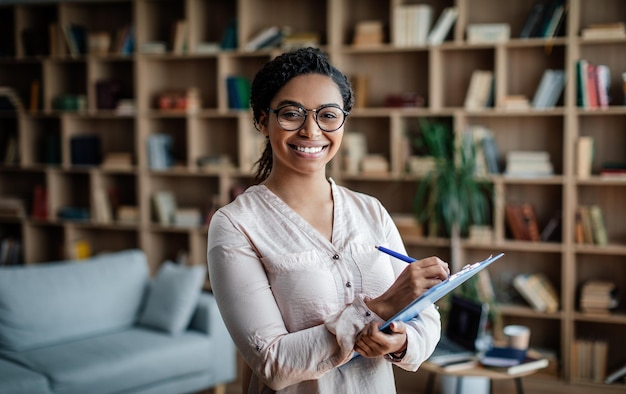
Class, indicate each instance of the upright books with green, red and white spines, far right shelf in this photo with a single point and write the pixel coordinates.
(593, 83)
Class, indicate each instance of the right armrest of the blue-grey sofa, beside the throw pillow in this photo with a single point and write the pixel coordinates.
(208, 320)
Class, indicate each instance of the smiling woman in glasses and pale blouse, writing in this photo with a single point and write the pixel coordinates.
(292, 260)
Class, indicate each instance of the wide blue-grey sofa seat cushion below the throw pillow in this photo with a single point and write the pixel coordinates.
(121, 361)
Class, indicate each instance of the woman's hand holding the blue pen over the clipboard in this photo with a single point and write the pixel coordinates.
(414, 280)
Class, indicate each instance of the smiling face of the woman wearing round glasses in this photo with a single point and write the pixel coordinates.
(308, 149)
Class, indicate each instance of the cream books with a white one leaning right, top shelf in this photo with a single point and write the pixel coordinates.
(413, 25)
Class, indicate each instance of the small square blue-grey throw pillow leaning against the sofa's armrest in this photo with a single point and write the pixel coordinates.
(172, 297)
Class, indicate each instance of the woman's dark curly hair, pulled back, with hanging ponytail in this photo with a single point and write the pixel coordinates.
(276, 73)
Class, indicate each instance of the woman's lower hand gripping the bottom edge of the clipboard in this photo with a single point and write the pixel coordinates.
(371, 342)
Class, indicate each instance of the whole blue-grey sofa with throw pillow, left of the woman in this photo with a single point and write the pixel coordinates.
(102, 325)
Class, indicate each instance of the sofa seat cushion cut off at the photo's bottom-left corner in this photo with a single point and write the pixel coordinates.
(17, 379)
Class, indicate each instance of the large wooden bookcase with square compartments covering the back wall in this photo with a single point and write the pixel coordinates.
(440, 73)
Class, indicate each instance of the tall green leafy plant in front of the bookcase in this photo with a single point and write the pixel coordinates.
(451, 194)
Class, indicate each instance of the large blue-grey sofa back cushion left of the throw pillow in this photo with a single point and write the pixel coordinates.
(48, 303)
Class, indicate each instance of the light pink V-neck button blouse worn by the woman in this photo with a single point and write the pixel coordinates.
(293, 302)
